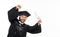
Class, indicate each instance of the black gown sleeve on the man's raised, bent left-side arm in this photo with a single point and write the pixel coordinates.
(12, 14)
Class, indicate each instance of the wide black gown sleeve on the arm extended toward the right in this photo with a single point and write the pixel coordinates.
(34, 29)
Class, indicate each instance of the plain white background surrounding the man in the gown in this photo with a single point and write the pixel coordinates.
(47, 10)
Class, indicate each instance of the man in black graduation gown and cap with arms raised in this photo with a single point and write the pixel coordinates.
(18, 28)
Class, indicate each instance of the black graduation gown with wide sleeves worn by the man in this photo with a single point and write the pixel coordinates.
(15, 30)
